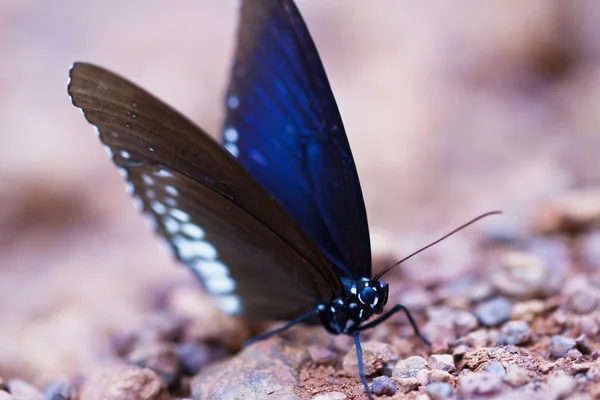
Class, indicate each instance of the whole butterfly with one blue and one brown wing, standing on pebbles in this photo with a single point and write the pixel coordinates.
(272, 220)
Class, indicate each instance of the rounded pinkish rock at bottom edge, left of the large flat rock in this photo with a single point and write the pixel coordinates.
(124, 382)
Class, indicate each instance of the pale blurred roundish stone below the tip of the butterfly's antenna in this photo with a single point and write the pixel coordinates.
(522, 276)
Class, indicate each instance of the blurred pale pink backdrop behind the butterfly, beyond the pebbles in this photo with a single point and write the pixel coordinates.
(452, 109)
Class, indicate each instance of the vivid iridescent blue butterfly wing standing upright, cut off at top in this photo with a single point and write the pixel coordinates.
(284, 127)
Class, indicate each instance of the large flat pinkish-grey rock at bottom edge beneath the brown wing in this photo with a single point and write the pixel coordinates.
(265, 369)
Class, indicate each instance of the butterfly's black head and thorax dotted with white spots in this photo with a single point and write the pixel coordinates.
(361, 300)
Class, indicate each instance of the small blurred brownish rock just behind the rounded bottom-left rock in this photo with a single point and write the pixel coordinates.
(161, 358)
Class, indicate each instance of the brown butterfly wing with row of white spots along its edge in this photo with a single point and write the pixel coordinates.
(220, 221)
